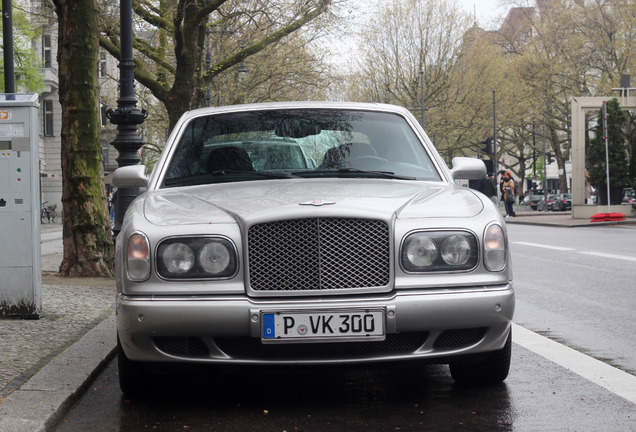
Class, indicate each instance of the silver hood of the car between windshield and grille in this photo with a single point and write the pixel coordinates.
(254, 201)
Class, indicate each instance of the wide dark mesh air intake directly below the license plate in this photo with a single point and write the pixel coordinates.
(253, 349)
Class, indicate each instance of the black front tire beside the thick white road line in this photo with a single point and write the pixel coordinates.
(490, 369)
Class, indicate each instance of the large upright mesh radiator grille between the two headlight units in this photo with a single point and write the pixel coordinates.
(319, 254)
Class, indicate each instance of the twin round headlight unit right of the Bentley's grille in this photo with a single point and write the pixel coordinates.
(428, 251)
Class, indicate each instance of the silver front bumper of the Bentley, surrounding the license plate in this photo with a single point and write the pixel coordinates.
(421, 324)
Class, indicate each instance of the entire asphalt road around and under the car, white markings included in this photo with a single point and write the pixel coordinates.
(574, 286)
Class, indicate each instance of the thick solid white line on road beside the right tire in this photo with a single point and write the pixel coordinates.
(613, 379)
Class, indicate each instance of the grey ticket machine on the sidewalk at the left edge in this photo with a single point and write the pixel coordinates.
(20, 256)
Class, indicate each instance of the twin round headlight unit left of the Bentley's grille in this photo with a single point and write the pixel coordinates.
(196, 258)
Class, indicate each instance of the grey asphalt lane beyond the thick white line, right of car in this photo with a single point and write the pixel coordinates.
(578, 286)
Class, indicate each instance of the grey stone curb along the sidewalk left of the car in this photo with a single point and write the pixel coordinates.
(42, 401)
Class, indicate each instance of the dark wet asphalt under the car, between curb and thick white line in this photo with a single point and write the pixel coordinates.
(537, 396)
